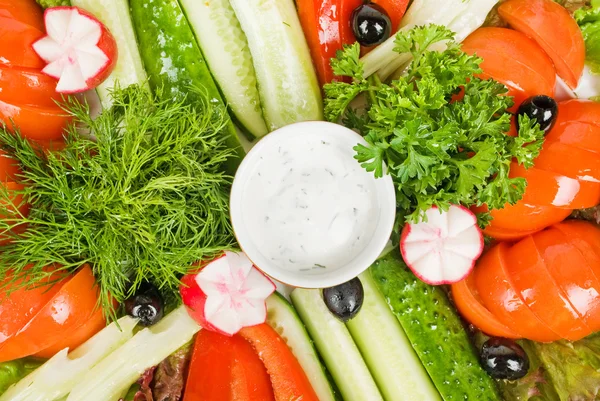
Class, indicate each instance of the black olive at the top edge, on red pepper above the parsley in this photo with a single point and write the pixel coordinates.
(371, 25)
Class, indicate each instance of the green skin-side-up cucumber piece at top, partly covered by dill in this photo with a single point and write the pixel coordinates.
(174, 62)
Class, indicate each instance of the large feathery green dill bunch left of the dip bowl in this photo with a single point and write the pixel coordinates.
(143, 198)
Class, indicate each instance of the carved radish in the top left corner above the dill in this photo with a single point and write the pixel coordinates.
(80, 51)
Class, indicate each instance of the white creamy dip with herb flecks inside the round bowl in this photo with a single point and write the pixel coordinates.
(308, 204)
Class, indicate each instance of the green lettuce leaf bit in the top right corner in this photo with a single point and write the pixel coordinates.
(588, 19)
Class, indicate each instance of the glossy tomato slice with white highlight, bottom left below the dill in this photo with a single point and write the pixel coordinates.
(66, 311)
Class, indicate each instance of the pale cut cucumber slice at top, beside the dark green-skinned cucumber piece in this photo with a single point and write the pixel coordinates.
(225, 48)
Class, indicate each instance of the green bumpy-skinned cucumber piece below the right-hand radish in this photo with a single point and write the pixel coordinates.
(435, 332)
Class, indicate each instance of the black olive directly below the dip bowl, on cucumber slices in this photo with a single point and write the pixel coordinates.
(344, 300)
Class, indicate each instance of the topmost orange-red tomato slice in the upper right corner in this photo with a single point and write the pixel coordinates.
(553, 28)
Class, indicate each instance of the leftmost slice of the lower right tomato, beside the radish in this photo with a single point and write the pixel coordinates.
(501, 299)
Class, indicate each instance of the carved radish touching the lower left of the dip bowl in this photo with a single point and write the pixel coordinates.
(228, 293)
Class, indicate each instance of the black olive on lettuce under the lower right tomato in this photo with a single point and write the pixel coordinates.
(504, 359)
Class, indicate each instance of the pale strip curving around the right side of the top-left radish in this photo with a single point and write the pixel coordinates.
(129, 69)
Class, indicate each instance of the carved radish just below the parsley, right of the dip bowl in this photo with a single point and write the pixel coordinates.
(444, 247)
